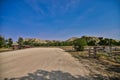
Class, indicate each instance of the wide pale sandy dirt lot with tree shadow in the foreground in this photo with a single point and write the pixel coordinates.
(41, 64)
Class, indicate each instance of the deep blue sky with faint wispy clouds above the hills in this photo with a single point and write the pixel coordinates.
(59, 19)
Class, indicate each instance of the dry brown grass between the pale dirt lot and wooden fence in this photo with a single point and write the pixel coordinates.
(103, 64)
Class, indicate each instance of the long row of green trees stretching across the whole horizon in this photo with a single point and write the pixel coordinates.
(78, 43)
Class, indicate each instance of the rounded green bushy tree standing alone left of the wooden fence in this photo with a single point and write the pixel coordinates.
(79, 44)
